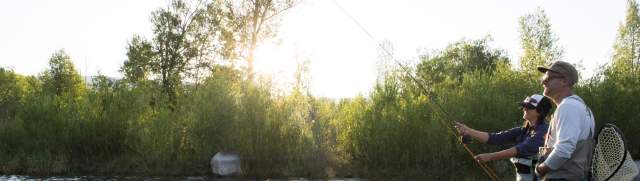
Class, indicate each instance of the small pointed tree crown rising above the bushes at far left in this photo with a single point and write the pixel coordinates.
(62, 78)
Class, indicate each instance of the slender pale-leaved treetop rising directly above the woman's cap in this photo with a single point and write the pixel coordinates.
(538, 41)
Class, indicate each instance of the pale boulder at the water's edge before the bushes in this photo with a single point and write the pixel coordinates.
(225, 164)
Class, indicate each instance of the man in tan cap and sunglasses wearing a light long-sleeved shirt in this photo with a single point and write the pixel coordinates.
(569, 144)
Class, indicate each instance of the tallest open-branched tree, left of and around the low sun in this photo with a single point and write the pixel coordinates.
(184, 43)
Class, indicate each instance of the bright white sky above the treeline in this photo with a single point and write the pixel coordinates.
(343, 57)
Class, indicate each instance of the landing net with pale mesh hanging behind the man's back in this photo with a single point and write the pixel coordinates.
(609, 154)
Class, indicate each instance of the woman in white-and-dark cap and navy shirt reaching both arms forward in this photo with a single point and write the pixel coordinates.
(527, 138)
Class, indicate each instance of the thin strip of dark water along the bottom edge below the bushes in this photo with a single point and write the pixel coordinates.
(150, 178)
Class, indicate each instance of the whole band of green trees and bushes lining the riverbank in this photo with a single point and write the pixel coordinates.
(176, 107)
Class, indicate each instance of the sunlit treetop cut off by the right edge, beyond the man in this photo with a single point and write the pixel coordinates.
(627, 45)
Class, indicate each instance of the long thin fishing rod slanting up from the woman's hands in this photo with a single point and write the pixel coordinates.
(450, 125)
